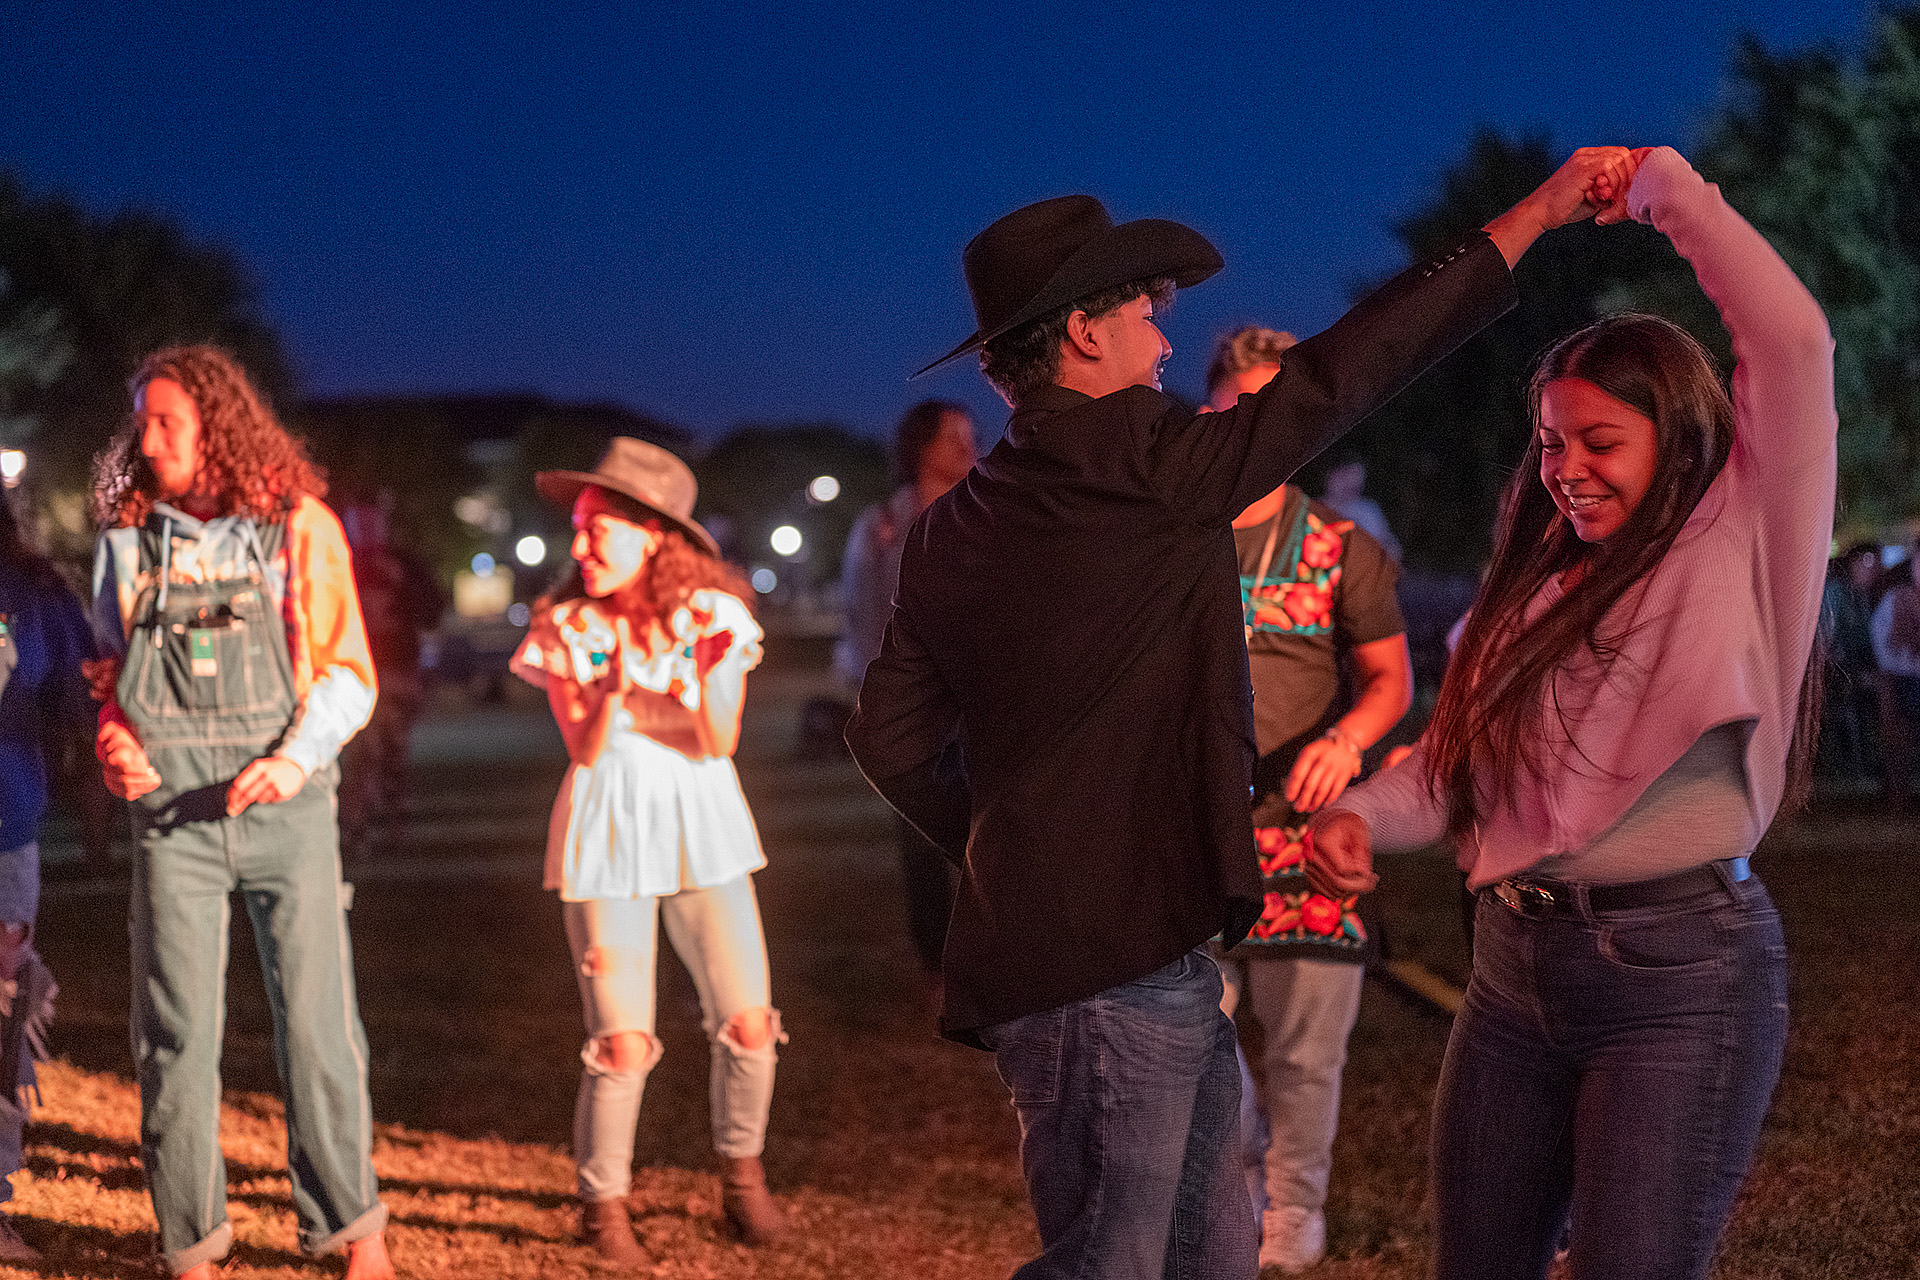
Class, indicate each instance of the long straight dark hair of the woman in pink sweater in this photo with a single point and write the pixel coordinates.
(1493, 703)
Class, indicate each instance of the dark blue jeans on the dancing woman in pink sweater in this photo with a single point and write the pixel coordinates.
(1616, 1062)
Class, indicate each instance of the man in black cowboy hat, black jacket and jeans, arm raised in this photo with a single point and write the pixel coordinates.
(1063, 699)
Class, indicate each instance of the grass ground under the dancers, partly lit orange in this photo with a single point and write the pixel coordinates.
(892, 1149)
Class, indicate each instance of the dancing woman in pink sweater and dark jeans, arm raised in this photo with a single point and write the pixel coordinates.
(1618, 730)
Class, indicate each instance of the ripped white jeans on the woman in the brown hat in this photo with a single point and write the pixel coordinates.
(615, 943)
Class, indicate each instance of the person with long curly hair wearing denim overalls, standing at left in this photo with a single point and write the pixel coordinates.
(237, 669)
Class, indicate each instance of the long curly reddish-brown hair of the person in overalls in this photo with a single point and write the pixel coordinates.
(249, 463)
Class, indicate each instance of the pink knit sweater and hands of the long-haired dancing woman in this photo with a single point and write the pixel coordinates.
(1719, 632)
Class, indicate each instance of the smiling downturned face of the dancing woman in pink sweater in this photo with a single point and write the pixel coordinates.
(1596, 456)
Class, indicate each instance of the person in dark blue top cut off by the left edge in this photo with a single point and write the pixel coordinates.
(43, 713)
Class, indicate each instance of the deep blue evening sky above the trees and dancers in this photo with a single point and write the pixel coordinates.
(756, 212)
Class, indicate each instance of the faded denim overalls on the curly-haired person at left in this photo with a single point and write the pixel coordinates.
(208, 688)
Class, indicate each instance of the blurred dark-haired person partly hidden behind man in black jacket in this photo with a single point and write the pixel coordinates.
(934, 450)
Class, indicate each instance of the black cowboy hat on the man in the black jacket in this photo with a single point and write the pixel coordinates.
(1057, 252)
